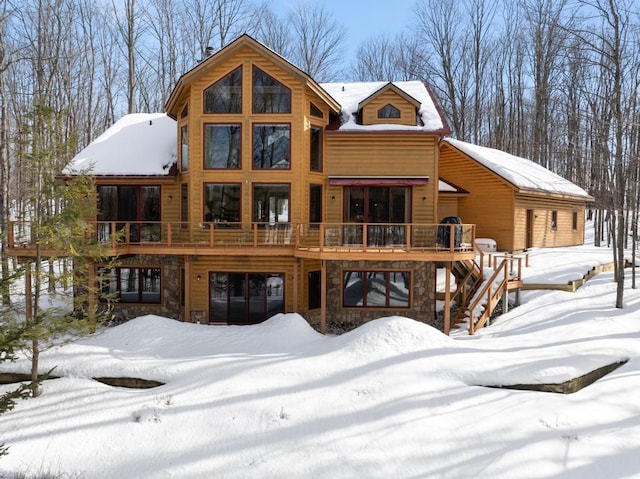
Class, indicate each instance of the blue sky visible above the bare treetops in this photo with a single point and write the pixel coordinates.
(362, 18)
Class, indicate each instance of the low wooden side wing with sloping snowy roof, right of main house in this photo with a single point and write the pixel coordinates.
(513, 200)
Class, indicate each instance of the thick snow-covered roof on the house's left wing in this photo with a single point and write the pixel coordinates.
(141, 144)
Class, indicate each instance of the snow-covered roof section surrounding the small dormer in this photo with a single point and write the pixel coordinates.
(350, 95)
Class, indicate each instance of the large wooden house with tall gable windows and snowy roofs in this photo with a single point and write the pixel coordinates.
(262, 191)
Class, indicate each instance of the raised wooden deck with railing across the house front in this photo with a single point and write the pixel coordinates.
(393, 242)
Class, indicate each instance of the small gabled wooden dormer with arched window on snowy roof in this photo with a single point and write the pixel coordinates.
(389, 105)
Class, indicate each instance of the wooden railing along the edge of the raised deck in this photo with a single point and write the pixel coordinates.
(309, 236)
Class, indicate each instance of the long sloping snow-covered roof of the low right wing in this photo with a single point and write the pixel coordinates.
(520, 172)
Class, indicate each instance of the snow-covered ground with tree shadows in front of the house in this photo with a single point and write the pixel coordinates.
(392, 399)
